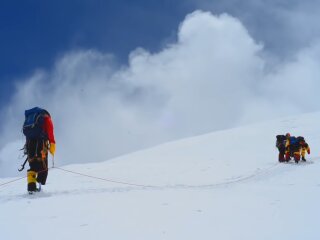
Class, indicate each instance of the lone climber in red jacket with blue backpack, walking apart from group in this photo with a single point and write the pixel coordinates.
(38, 129)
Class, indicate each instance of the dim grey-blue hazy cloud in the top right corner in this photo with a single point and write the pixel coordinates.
(284, 27)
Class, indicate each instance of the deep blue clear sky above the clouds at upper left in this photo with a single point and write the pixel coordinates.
(35, 33)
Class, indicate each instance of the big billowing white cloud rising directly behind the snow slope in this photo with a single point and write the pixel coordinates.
(213, 77)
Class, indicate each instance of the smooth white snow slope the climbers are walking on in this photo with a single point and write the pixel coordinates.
(222, 185)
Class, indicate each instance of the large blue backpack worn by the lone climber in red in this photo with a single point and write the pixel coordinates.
(32, 126)
